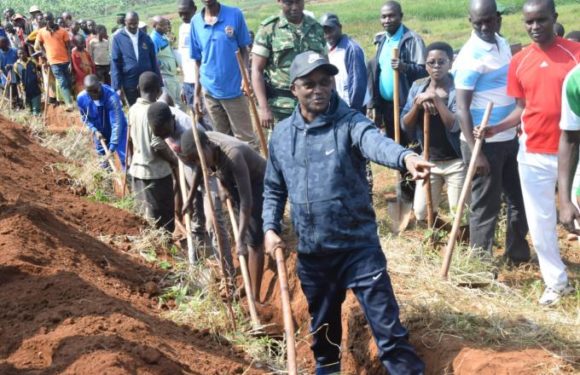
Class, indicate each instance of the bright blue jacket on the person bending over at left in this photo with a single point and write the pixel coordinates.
(108, 118)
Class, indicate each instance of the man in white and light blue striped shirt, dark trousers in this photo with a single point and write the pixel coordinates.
(480, 72)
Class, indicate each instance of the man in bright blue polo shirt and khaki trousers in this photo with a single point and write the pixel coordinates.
(217, 32)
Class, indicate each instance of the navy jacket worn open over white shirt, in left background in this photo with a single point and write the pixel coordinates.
(125, 68)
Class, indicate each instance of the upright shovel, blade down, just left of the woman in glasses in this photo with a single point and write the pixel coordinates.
(399, 211)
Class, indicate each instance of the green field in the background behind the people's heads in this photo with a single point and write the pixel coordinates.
(433, 19)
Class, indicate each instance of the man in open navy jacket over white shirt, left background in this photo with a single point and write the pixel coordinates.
(132, 53)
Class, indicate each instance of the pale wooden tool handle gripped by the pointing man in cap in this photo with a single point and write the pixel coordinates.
(286, 311)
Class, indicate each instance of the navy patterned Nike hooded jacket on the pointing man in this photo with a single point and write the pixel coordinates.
(320, 167)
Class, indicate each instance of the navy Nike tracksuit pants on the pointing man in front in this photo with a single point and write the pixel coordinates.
(325, 279)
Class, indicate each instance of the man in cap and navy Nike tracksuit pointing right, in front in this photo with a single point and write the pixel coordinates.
(317, 161)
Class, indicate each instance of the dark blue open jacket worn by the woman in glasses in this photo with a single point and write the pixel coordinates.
(419, 87)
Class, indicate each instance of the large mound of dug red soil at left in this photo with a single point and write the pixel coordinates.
(70, 303)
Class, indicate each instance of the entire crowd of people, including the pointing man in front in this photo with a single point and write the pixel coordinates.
(328, 111)
